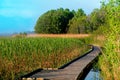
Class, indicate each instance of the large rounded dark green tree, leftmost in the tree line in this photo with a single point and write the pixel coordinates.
(54, 21)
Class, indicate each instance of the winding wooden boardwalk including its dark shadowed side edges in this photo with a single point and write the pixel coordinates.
(74, 70)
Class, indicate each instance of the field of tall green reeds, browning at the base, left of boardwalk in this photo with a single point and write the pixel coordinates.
(22, 55)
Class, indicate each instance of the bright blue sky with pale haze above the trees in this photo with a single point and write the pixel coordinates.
(21, 15)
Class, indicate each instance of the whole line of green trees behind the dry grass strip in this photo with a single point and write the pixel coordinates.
(65, 21)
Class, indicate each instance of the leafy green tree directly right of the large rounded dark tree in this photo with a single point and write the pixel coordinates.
(77, 24)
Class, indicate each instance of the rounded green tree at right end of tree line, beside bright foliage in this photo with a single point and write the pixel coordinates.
(96, 19)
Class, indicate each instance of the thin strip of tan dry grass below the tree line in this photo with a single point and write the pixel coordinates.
(60, 35)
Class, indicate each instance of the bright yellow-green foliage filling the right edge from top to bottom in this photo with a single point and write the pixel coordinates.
(110, 71)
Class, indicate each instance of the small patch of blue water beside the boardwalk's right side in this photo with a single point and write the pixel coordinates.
(94, 74)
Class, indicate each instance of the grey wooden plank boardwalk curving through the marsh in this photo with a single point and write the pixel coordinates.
(70, 72)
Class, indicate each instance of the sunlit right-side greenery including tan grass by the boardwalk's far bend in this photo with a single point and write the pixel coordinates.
(108, 36)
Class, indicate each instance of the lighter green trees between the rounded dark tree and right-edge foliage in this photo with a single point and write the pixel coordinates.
(81, 23)
